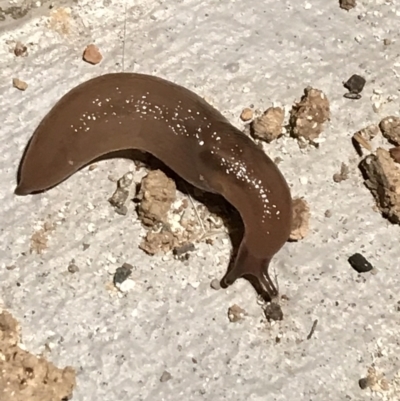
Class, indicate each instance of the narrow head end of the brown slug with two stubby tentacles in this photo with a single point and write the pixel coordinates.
(253, 269)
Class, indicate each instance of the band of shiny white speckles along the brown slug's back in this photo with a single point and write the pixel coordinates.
(188, 123)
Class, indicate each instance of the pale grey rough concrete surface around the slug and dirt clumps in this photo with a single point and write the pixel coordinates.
(235, 53)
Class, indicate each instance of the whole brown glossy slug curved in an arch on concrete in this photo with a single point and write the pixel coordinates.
(122, 111)
